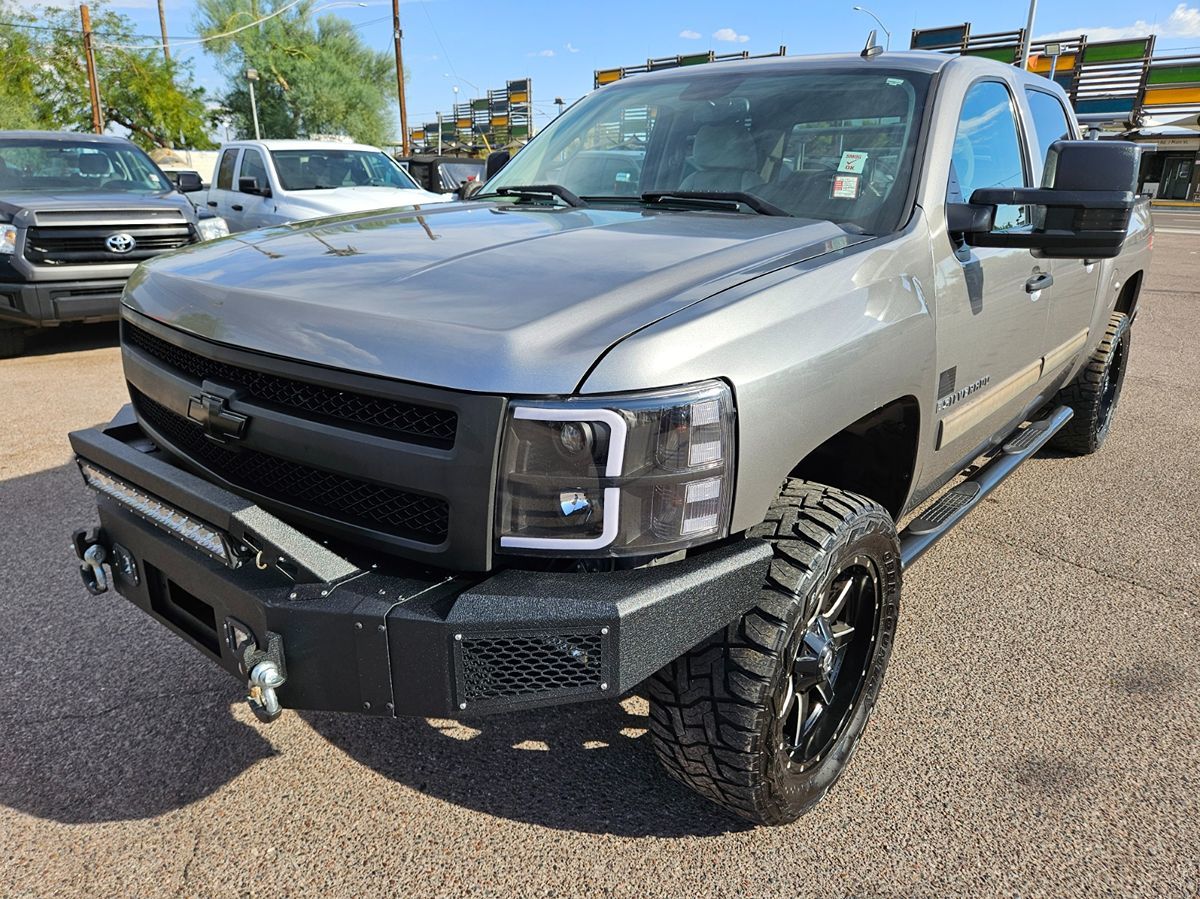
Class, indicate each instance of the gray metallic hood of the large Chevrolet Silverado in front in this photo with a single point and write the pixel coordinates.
(469, 296)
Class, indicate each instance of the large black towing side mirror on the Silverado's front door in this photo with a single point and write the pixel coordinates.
(1082, 212)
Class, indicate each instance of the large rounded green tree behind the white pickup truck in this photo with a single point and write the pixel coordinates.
(316, 76)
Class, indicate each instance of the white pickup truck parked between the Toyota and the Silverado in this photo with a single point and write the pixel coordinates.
(265, 183)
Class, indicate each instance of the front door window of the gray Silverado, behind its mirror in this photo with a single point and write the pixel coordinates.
(988, 152)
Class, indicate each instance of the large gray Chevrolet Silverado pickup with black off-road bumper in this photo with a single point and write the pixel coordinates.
(670, 406)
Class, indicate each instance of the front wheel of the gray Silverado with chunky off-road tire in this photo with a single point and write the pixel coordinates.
(764, 716)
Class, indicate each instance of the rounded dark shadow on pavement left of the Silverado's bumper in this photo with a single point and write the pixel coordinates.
(104, 717)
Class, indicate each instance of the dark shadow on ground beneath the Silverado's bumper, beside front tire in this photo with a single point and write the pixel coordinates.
(585, 768)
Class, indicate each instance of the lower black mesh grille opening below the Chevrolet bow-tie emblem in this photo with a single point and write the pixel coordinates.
(373, 506)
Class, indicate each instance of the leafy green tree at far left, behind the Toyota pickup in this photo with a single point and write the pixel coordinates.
(44, 82)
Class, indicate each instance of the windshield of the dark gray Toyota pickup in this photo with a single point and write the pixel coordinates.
(77, 167)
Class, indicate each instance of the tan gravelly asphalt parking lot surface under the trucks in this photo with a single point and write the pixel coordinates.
(1039, 734)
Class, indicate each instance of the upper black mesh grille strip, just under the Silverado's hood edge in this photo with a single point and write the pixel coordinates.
(423, 424)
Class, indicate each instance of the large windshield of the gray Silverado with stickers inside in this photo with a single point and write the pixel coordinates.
(835, 146)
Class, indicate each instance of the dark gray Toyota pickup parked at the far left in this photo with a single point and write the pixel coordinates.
(77, 214)
